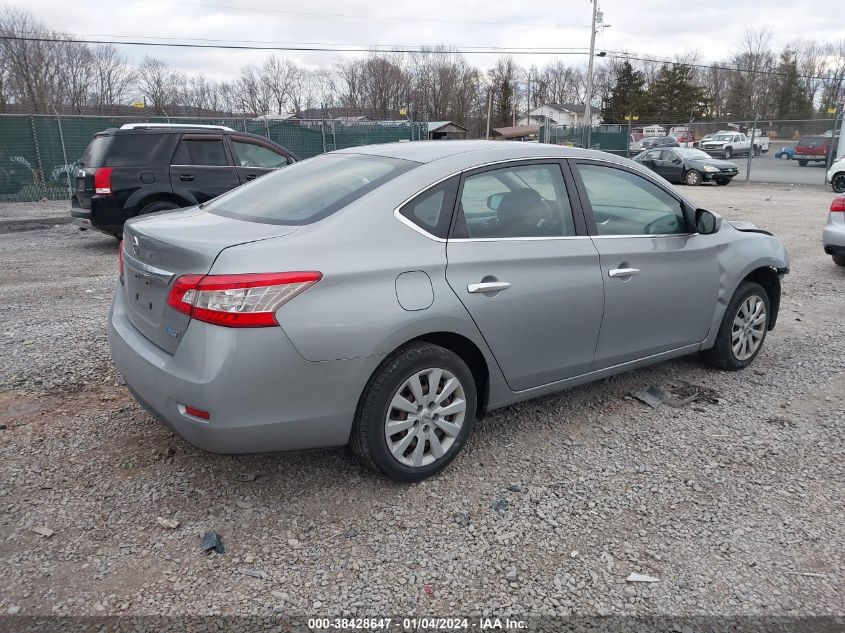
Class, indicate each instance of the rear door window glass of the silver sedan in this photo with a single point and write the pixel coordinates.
(519, 201)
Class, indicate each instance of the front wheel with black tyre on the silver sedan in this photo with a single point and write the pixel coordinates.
(743, 329)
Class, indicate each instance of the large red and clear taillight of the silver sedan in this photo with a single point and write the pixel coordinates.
(249, 300)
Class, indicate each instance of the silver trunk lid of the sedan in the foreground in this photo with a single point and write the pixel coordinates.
(161, 247)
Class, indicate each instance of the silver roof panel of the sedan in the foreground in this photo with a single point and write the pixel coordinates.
(430, 151)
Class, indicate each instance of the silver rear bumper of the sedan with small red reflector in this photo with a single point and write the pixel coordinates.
(262, 396)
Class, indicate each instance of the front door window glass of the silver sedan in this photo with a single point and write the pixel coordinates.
(627, 204)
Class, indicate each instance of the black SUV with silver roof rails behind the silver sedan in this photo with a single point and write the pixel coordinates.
(146, 167)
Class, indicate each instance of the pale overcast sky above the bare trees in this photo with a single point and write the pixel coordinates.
(653, 27)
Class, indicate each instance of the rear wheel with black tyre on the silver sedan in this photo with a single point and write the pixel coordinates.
(416, 413)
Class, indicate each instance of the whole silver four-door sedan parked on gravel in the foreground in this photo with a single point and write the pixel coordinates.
(386, 296)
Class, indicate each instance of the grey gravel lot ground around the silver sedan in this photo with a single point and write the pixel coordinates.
(735, 503)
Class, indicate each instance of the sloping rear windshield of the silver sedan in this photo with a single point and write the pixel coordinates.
(309, 190)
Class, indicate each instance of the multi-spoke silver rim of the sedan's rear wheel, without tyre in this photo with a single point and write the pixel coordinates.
(425, 417)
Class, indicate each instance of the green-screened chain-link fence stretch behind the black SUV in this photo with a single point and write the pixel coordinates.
(38, 152)
